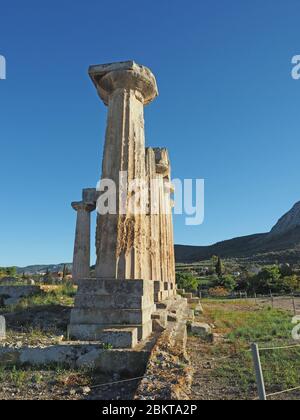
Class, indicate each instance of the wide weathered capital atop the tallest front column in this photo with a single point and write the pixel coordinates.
(124, 75)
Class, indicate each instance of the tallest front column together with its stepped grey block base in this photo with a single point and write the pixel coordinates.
(116, 306)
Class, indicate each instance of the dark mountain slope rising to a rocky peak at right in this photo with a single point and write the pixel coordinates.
(282, 244)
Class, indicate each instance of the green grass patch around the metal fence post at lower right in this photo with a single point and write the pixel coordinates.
(244, 324)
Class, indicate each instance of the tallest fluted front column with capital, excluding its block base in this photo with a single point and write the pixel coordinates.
(121, 240)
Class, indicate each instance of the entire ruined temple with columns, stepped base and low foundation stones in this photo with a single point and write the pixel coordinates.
(128, 315)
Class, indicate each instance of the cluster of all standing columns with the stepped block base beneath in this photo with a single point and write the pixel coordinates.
(135, 268)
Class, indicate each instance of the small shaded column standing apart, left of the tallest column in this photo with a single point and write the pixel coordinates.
(81, 257)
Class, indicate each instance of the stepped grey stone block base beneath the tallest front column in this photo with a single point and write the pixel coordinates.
(114, 305)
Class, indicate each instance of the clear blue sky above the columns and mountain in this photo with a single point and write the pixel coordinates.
(228, 111)
